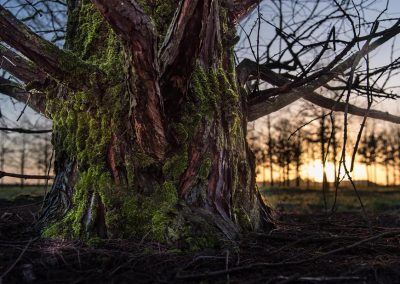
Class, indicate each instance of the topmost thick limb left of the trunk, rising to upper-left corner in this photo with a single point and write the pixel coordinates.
(60, 64)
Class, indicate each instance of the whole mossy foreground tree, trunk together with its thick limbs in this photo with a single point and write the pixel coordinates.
(150, 116)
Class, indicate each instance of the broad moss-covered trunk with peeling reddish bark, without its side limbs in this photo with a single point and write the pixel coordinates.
(150, 156)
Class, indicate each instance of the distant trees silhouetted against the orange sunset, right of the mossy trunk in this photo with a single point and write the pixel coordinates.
(283, 146)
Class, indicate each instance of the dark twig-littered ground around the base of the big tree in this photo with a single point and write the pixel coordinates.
(307, 246)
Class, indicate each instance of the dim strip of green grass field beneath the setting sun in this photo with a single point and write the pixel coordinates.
(299, 200)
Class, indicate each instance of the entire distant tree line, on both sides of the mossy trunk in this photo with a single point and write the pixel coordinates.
(282, 147)
